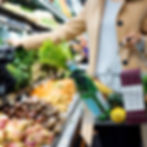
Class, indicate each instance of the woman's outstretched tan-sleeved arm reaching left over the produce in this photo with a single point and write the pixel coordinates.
(68, 31)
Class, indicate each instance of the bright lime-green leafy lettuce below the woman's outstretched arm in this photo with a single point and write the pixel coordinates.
(55, 55)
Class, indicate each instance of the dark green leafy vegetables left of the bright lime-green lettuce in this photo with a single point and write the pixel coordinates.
(20, 68)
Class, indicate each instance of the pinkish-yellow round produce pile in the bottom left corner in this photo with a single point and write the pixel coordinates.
(23, 133)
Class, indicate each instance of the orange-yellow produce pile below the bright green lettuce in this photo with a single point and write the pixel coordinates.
(59, 93)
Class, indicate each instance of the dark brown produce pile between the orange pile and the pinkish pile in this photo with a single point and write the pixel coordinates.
(37, 111)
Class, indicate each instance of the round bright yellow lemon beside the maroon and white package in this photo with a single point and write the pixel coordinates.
(118, 115)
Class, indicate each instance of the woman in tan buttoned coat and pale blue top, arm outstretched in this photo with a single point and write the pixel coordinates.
(111, 25)
